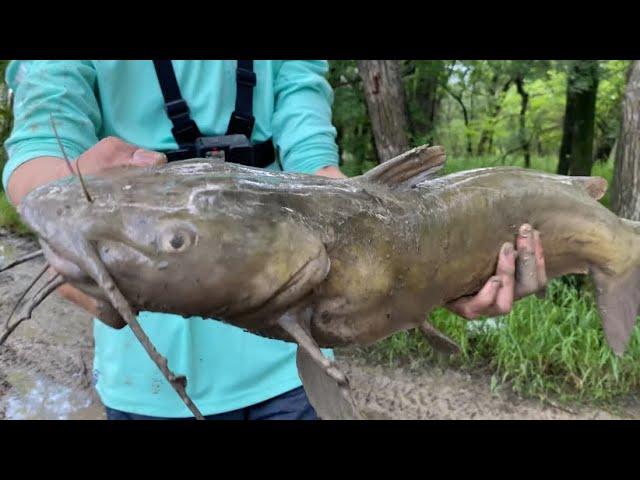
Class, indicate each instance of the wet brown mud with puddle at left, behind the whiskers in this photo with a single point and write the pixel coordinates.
(46, 365)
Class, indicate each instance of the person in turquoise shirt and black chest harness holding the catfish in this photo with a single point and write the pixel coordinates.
(140, 113)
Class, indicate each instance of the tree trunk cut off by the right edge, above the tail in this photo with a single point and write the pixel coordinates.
(625, 194)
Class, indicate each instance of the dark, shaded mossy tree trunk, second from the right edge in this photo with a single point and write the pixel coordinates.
(576, 151)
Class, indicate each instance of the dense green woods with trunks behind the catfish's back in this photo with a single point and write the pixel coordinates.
(497, 112)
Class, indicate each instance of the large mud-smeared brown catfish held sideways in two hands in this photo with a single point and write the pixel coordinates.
(326, 262)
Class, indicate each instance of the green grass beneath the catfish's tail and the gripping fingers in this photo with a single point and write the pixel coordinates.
(544, 348)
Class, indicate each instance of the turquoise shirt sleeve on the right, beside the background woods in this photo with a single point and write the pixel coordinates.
(302, 128)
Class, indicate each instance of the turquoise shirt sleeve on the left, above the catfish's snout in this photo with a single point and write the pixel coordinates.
(65, 90)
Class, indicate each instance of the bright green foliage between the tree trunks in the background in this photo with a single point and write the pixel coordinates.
(487, 91)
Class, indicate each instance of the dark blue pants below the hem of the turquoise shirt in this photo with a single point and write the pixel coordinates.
(292, 405)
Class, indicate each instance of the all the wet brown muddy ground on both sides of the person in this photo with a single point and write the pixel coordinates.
(46, 370)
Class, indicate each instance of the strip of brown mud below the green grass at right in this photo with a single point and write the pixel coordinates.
(385, 393)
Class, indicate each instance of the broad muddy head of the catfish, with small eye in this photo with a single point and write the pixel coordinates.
(184, 245)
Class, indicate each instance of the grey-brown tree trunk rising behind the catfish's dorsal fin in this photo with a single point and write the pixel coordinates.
(386, 105)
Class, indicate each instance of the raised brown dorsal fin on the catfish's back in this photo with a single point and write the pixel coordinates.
(409, 169)
